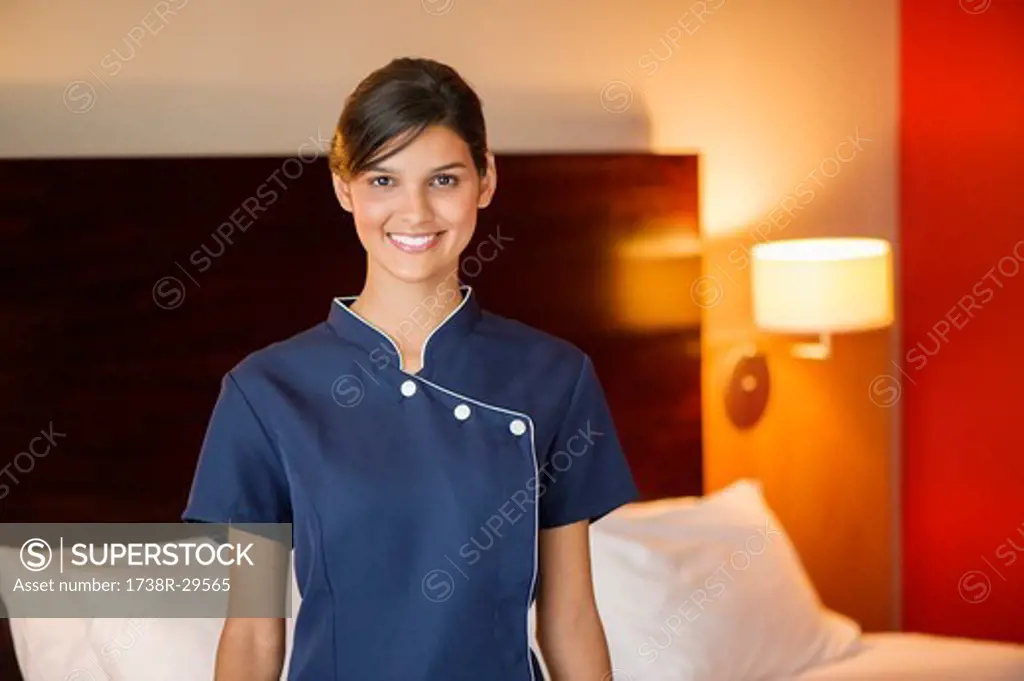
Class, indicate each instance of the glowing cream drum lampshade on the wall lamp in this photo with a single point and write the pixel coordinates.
(823, 285)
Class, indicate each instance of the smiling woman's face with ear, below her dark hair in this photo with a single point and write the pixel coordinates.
(416, 211)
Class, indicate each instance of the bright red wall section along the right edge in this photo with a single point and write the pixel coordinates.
(962, 149)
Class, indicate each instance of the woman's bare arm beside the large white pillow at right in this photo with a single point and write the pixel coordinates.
(569, 628)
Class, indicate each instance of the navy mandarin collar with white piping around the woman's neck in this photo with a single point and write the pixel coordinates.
(361, 332)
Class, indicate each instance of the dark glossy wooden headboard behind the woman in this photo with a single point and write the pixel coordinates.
(118, 325)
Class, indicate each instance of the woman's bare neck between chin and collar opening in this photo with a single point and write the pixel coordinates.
(408, 312)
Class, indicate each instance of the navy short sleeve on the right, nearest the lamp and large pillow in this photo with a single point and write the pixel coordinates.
(585, 475)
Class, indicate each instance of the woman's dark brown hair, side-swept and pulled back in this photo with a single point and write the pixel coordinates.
(397, 103)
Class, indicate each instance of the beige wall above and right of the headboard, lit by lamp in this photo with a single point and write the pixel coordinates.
(765, 92)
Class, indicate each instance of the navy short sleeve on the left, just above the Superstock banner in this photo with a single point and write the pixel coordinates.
(239, 478)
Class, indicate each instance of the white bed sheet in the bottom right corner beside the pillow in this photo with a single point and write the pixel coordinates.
(908, 657)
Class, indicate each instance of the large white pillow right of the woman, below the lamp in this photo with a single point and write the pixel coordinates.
(710, 589)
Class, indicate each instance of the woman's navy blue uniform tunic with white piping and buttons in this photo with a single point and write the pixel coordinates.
(416, 499)
